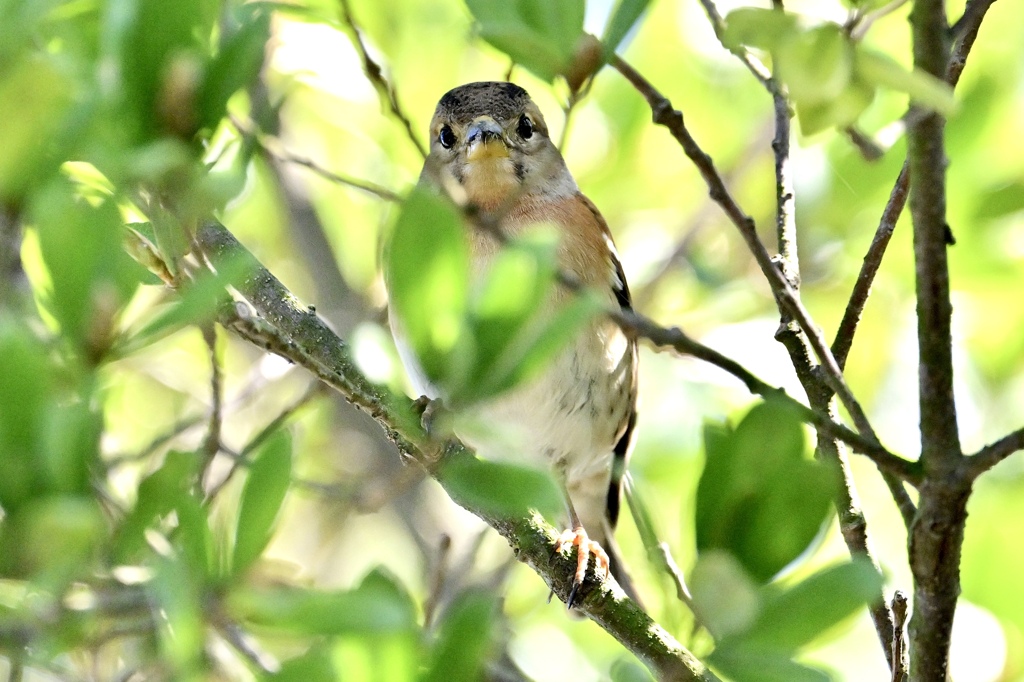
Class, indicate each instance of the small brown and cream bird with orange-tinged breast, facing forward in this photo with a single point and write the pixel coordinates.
(490, 150)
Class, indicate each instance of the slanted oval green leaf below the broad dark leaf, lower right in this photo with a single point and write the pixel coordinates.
(794, 618)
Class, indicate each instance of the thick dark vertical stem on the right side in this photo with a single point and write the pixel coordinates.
(937, 538)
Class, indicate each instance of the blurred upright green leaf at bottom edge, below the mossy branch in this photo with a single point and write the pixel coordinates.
(465, 640)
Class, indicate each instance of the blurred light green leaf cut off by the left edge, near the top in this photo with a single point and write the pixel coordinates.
(35, 101)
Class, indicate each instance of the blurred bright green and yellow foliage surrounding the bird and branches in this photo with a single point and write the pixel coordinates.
(165, 521)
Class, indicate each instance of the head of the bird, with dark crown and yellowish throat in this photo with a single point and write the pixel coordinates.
(492, 140)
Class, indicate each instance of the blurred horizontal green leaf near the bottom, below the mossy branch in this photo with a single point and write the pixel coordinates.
(378, 606)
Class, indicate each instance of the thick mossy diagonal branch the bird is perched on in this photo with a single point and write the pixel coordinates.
(293, 332)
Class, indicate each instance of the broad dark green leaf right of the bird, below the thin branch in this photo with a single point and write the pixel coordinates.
(760, 497)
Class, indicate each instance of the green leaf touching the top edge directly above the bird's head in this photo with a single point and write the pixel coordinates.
(540, 35)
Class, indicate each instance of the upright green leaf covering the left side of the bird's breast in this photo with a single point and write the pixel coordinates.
(429, 280)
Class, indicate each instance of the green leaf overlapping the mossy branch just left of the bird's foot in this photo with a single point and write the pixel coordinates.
(501, 490)
